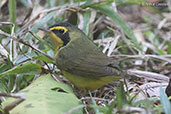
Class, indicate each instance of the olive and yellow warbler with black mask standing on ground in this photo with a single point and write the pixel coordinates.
(79, 60)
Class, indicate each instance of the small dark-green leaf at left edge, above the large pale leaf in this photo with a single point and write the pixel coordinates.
(26, 69)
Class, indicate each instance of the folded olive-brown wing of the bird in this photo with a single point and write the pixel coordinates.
(90, 63)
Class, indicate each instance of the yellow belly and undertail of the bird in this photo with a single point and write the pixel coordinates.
(87, 83)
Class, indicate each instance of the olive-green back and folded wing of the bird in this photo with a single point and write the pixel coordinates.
(82, 58)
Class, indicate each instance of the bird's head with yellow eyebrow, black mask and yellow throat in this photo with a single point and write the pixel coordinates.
(62, 33)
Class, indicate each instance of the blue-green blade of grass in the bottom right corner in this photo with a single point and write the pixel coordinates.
(165, 101)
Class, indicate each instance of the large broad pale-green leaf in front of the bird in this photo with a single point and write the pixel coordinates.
(46, 96)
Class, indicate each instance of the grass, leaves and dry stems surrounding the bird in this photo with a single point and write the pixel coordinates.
(135, 32)
